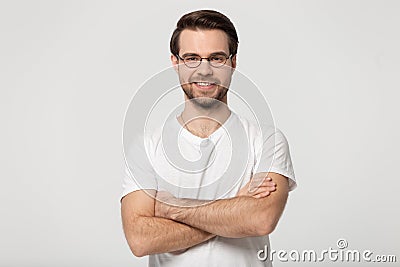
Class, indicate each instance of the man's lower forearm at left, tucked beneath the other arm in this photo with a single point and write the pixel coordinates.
(151, 235)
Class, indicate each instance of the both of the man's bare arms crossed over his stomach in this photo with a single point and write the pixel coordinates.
(152, 226)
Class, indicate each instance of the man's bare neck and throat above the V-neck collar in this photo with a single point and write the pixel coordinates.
(203, 122)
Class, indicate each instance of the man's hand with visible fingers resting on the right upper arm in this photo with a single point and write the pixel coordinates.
(259, 186)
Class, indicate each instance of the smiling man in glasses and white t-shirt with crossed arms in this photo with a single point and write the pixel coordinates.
(193, 217)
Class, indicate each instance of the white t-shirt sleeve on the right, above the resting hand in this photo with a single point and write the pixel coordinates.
(273, 155)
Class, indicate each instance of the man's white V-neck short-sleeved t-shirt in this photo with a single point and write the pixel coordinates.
(208, 168)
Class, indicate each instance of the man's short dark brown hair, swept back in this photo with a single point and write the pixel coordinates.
(205, 19)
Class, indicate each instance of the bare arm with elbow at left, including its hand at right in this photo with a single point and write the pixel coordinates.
(147, 234)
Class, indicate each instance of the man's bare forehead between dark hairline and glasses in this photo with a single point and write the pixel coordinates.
(203, 42)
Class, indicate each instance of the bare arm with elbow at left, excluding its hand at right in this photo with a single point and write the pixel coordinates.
(147, 234)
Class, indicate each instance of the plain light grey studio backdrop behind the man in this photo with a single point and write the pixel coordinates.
(329, 69)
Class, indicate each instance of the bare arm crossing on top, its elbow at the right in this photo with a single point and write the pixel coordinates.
(235, 217)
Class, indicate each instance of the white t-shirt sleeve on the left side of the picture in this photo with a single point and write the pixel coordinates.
(138, 172)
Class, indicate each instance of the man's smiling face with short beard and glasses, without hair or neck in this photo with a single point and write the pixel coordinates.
(204, 84)
